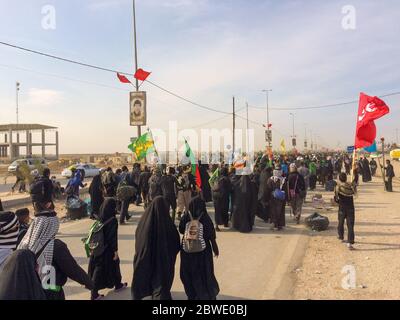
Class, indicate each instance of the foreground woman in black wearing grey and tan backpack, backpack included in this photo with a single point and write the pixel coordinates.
(198, 244)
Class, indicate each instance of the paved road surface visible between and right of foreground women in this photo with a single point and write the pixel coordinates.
(258, 265)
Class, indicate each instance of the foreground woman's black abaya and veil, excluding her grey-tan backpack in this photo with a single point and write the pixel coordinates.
(197, 269)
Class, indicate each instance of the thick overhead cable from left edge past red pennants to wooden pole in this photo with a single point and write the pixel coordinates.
(83, 64)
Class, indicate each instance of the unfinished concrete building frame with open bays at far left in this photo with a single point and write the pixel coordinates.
(15, 138)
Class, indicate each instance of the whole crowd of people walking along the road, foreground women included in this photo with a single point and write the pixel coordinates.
(35, 264)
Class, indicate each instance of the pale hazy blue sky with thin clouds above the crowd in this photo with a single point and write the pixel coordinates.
(205, 50)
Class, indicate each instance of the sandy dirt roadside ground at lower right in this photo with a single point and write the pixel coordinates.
(376, 258)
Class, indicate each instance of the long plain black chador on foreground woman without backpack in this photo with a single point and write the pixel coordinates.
(157, 244)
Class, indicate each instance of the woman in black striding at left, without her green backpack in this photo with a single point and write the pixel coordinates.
(104, 264)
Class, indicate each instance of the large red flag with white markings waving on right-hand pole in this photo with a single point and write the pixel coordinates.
(369, 109)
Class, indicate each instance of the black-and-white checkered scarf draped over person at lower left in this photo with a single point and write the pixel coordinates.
(41, 230)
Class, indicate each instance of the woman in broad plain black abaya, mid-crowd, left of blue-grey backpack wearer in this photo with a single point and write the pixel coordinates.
(244, 204)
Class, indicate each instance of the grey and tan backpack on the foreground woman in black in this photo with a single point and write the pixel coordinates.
(193, 238)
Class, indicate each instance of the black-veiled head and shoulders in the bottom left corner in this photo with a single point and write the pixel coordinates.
(19, 279)
